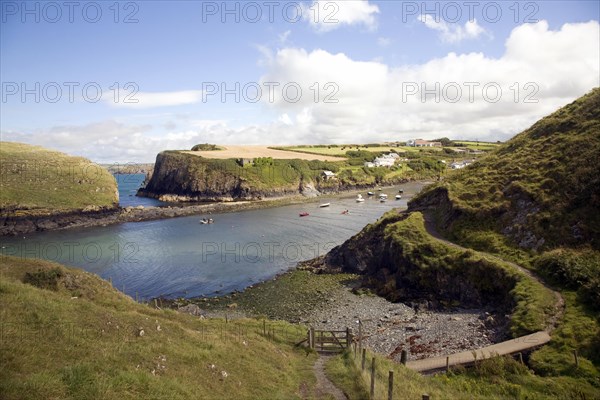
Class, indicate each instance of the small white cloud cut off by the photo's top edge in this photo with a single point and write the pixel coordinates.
(327, 15)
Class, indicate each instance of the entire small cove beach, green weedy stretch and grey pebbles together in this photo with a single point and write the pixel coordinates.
(337, 301)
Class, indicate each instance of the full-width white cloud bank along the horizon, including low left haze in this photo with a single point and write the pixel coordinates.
(373, 99)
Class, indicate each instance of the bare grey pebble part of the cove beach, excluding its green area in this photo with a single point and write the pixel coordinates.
(388, 328)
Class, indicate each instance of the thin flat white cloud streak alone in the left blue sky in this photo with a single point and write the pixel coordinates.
(141, 100)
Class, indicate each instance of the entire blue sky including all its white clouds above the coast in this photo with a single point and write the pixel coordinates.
(373, 55)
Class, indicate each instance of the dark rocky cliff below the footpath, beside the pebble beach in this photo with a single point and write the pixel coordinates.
(399, 260)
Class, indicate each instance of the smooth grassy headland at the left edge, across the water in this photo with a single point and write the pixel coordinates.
(34, 180)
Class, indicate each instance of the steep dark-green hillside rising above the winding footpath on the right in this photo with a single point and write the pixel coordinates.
(540, 190)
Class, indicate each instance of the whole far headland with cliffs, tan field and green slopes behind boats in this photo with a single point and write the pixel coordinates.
(210, 175)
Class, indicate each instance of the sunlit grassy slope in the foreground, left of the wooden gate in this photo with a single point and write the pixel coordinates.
(69, 335)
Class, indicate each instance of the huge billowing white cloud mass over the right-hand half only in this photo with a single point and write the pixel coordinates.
(375, 102)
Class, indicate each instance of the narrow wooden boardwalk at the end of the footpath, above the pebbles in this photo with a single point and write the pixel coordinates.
(512, 346)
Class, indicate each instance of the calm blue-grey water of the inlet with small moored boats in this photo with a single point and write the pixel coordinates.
(181, 257)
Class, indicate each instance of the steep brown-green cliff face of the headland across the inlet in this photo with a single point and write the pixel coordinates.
(185, 177)
